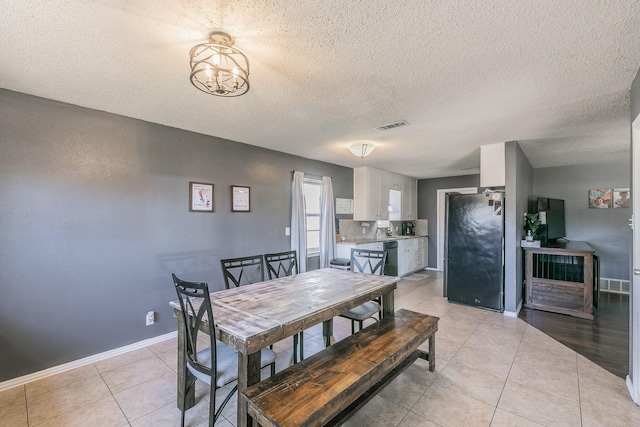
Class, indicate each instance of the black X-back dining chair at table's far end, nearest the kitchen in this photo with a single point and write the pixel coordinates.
(372, 262)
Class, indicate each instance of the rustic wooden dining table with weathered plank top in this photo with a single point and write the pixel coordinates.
(252, 317)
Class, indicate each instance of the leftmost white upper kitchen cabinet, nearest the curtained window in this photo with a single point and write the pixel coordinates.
(370, 194)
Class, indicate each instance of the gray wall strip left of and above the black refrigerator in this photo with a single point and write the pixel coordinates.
(428, 204)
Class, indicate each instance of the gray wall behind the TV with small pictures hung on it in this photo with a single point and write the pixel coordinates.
(606, 230)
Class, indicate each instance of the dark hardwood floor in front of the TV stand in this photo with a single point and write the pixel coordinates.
(604, 340)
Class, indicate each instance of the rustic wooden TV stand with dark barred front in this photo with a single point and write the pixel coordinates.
(562, 278)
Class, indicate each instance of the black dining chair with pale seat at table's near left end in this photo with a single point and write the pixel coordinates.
(217, 364)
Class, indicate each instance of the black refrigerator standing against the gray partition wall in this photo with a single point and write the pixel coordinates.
(474, 250)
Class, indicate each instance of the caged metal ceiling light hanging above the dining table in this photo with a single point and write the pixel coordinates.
(218, 68)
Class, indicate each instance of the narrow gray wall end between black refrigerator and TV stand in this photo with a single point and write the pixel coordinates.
(519, 180)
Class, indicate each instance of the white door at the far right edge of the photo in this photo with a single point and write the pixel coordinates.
(633, 379)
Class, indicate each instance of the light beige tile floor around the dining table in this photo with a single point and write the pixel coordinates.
(492, 370)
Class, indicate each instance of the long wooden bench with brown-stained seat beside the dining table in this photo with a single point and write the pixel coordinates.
(330, 386)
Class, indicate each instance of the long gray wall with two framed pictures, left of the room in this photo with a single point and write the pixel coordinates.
(94, 218)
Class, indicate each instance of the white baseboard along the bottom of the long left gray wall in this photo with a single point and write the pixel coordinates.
(85, 361)
